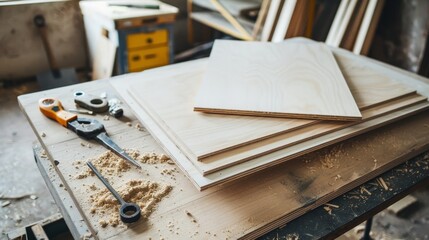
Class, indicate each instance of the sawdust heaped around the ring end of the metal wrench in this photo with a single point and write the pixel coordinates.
(146, 194)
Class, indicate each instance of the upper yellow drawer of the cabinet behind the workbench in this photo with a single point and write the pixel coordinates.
(148, 39)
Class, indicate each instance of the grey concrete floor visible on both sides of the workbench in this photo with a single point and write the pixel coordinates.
(20, 176)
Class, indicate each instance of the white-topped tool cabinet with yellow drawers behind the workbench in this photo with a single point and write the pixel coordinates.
(143, 36)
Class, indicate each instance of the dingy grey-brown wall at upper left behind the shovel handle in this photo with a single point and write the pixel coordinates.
(21, 50)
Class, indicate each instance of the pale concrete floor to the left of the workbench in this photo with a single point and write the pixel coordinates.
(18, 171)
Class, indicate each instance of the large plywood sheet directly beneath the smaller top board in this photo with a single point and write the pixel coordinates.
(186, 126)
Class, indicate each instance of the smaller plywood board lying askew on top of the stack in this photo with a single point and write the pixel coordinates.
(282, 80)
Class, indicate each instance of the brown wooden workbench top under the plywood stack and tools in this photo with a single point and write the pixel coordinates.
(245, 209)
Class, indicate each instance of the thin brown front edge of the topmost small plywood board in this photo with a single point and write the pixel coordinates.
(278, 114)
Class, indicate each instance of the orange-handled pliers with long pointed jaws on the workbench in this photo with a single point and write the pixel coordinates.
(84, 127)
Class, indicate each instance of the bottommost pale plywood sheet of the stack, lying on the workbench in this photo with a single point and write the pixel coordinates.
(274, 158)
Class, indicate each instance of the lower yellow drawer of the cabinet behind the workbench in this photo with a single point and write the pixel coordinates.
(139, 60)
